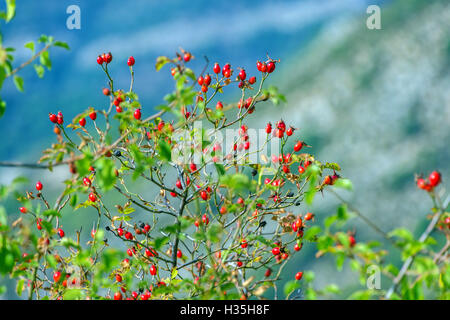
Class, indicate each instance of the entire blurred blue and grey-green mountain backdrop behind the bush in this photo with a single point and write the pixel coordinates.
(375, 101)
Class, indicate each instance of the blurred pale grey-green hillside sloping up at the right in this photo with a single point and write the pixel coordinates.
(378, 103)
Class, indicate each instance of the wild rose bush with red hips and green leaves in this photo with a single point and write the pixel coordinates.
(226, 218)
